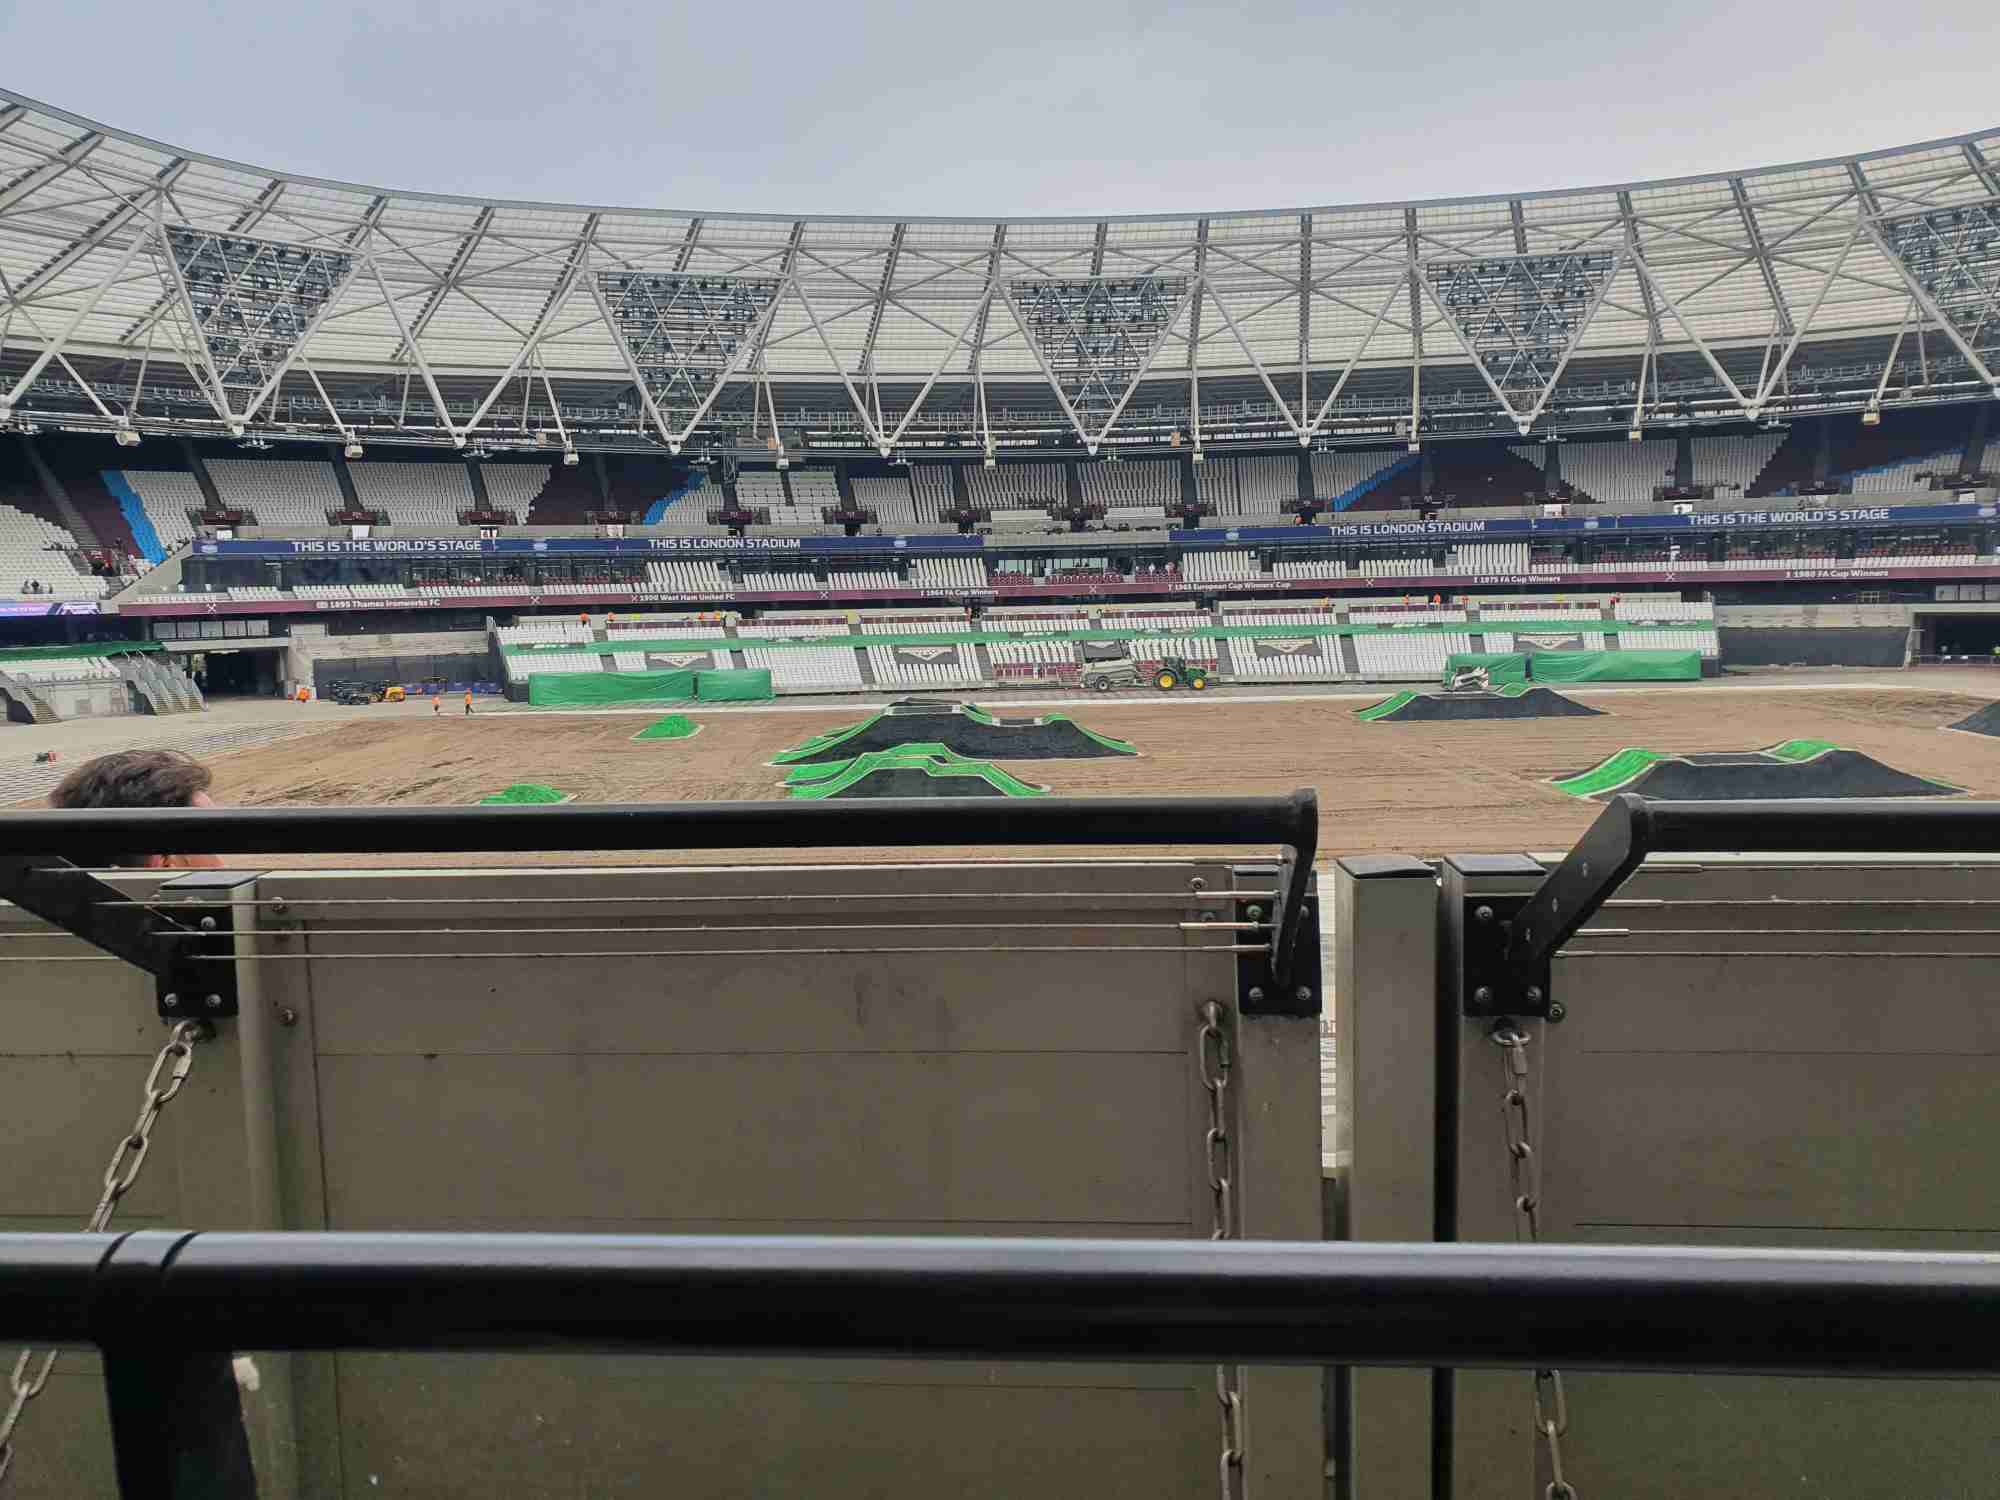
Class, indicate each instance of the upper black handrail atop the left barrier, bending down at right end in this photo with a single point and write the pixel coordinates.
(37, 843)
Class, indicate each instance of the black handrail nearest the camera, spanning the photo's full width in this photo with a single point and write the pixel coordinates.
(1167, 1301)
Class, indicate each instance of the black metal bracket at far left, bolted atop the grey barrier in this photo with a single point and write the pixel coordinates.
(179, 949)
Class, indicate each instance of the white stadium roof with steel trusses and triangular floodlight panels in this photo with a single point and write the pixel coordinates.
(149, 285)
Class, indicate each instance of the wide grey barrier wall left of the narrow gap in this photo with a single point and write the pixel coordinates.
(1003, 1049)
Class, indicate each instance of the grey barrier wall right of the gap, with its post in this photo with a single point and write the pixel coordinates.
(1761, 1053)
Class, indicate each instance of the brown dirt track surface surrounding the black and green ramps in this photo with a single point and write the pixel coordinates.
(1419, 789)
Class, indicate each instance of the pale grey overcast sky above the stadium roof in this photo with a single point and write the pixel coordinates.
(1021, 107)
